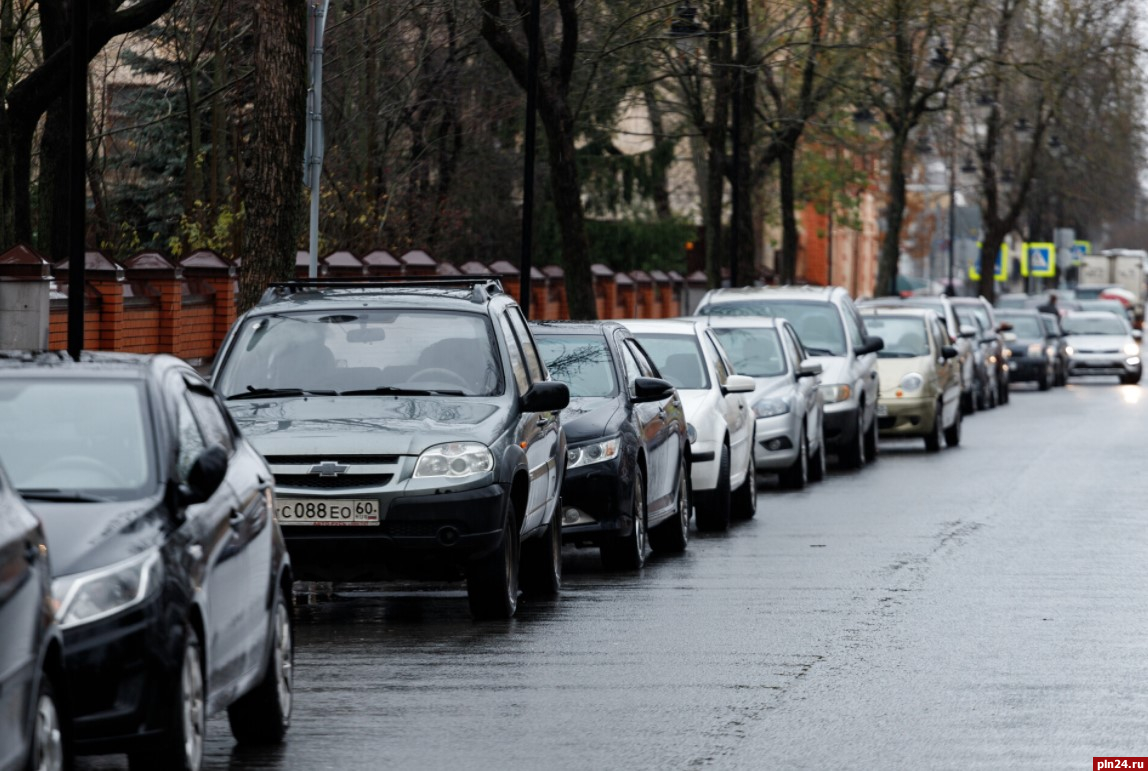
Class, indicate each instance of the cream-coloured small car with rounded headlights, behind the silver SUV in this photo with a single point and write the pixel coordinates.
(920, 377)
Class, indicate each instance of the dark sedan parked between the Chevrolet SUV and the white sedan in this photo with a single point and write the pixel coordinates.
(627, 474)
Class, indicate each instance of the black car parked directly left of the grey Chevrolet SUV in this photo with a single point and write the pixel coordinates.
(170, 578)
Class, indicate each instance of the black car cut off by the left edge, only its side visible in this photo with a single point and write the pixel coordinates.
(32, 705)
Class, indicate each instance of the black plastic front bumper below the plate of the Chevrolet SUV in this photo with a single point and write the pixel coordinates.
(431, 536)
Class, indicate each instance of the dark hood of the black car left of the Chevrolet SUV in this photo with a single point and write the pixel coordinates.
(89, 536)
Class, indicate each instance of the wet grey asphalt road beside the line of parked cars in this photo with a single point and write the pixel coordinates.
(980, 609)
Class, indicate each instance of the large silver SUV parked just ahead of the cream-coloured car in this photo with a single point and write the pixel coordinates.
(834, 336)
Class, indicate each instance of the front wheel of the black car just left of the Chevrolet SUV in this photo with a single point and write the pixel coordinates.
(182, 747)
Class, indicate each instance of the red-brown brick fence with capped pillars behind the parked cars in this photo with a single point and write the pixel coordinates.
(152, 303)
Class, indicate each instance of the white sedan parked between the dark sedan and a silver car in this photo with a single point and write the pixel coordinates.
(720, 422)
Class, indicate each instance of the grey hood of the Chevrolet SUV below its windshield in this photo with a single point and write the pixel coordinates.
(367, 425)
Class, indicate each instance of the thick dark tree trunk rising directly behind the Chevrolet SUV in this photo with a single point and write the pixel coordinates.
(275, 194)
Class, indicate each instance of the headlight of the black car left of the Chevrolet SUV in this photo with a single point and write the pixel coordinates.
(87, 597)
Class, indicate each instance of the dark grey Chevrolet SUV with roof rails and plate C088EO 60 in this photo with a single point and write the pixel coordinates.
(413, 430)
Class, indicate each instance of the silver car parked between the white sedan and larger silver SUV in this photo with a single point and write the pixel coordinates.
(787, 404)
